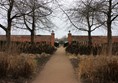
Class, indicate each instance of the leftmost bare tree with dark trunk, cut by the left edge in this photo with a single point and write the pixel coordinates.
(9, 14)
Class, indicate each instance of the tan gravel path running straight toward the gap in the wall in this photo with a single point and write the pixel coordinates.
(57, 70)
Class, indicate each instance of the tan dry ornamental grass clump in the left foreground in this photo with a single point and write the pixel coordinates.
(16, 66)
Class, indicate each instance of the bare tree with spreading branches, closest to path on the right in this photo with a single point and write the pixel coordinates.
(83, 17)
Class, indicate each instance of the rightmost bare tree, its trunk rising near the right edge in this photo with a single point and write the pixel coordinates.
(108, 13)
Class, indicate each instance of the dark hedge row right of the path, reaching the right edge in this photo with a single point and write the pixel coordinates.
(77, 48)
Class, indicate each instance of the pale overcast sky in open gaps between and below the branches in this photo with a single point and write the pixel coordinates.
(62, 29)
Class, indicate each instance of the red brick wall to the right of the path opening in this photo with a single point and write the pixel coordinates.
(96, 40)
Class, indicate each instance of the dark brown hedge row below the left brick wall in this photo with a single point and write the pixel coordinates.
(27, 47)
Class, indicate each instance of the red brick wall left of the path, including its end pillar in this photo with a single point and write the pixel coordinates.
(49, 39)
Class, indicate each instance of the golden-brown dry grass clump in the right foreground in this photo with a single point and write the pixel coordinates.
(100, 69)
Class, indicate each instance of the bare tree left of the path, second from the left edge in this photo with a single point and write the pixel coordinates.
(37, 18)
